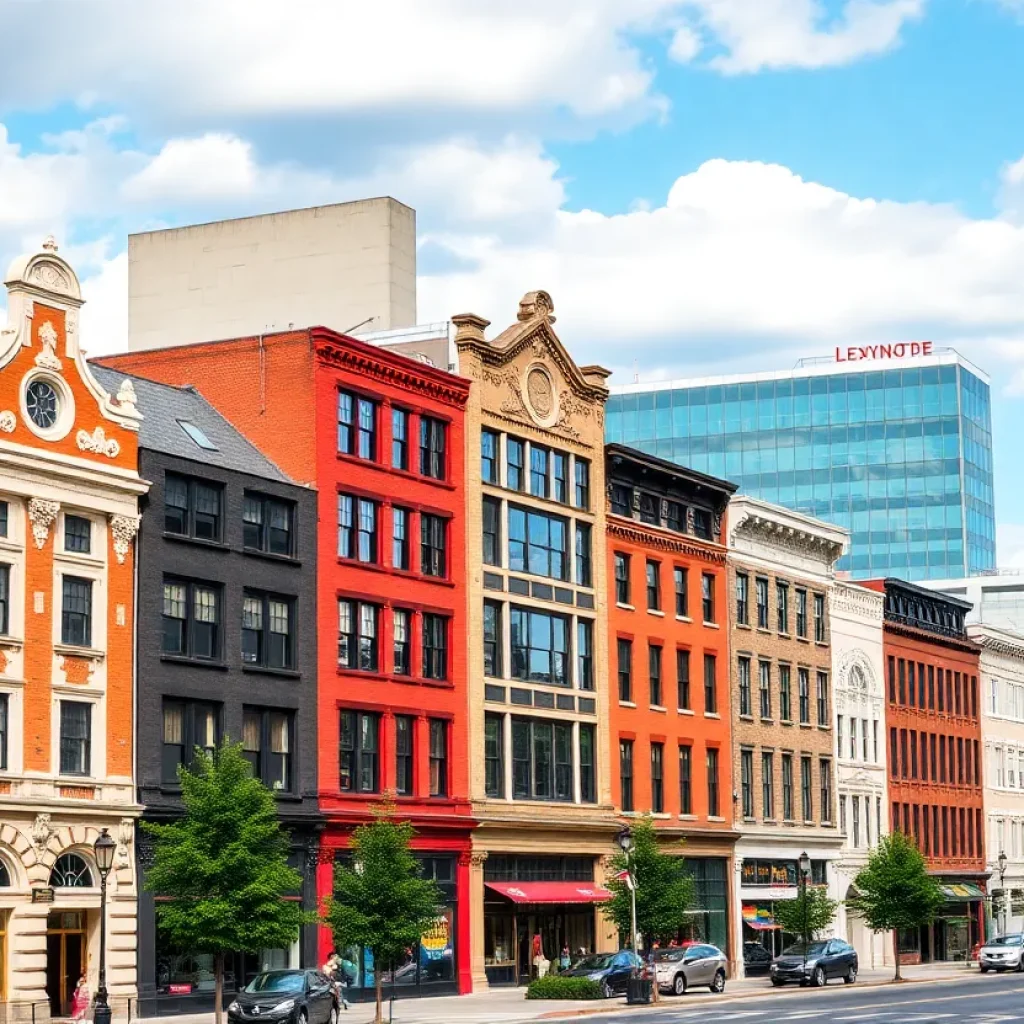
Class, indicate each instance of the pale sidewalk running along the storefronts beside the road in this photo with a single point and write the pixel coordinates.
(505, 1006)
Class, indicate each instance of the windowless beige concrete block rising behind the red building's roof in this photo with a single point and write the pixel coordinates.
(345, 267)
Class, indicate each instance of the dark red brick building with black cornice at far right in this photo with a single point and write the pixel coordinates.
(934, 735)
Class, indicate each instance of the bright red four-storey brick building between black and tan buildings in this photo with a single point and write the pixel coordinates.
(381, 438)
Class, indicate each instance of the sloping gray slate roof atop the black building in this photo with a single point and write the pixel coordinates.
(163, 407)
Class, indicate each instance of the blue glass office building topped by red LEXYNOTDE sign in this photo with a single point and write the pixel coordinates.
(898, 452)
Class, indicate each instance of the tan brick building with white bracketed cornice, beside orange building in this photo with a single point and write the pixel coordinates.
(781, 576)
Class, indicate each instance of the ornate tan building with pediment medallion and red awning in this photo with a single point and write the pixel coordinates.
(538, 645)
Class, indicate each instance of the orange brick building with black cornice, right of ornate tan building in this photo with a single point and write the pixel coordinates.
(670, 714)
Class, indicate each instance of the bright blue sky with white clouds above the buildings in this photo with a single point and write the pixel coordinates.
(703, 186)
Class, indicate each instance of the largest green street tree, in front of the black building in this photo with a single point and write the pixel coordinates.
(222, 872)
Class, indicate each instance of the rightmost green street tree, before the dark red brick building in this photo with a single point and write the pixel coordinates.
(895, 891)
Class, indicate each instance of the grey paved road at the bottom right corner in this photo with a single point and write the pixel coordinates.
(974, 1000)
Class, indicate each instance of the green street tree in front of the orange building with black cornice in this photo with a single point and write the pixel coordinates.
(664, 888)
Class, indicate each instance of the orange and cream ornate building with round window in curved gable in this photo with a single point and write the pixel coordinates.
(69, 515)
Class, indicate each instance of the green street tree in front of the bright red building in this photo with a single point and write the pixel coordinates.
(380, 902)
